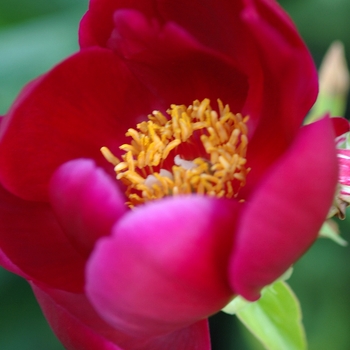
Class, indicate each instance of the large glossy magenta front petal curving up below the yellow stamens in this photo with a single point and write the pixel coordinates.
(165, 267)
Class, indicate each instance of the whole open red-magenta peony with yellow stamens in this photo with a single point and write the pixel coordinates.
(226, 197)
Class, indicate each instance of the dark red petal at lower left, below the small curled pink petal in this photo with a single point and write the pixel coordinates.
(31, 239)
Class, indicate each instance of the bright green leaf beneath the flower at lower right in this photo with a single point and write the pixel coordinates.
(275, 319)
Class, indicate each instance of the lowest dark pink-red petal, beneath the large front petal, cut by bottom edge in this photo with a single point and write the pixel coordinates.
(79, 327)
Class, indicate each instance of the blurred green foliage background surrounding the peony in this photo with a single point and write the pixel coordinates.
(36, 34)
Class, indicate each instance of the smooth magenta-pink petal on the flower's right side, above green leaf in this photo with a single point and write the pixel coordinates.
(285, 213)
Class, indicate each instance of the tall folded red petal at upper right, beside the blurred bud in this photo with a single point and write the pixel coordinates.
(290, 84)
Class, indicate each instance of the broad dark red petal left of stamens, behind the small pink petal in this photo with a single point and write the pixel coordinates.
(86, 102)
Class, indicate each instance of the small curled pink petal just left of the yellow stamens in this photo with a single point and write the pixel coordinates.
(86, 201)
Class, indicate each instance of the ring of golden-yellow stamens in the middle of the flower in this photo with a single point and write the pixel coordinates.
(192, 150)
